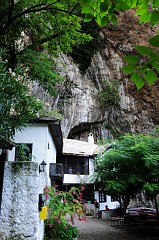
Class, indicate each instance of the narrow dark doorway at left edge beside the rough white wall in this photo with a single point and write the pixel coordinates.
(2, 162)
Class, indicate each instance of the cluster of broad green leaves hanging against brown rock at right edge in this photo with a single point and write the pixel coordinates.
(144, 67)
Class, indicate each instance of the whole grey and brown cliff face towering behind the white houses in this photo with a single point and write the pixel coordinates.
(136, 111)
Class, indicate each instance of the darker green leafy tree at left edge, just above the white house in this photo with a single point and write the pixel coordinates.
(16, 106)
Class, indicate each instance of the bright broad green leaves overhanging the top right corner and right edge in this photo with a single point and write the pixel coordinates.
(144, 67)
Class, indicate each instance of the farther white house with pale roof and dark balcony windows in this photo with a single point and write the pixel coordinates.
(79, 155)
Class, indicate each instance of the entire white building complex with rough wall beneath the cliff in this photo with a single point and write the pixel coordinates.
(22, 181)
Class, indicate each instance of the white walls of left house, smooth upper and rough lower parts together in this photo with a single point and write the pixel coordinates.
(43, 148)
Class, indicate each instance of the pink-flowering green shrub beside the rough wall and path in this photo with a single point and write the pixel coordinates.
(63, 208)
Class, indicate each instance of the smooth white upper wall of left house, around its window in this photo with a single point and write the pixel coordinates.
(43, 147)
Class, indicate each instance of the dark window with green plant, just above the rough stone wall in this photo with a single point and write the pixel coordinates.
(23, 152)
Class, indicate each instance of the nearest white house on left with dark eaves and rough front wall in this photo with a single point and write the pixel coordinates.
(23, 183)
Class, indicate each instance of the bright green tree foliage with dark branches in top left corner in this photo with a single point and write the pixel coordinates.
(32, 31)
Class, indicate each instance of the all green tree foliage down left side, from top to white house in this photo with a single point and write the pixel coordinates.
(32, 34)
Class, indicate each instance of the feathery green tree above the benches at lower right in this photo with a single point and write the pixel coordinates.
(130, 166)
